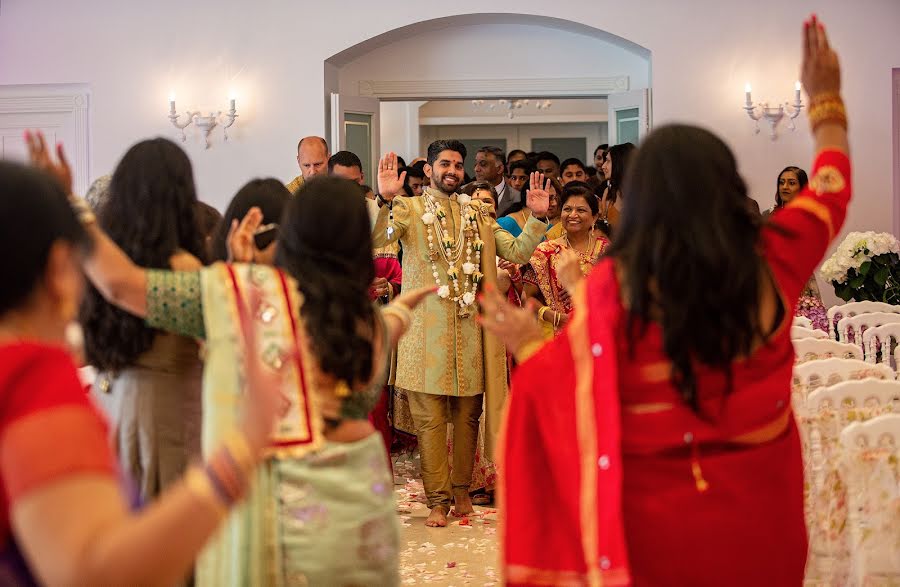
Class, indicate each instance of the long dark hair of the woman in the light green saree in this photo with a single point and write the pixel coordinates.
(325, 243)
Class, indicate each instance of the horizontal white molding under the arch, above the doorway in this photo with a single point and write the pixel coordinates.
(589, 87)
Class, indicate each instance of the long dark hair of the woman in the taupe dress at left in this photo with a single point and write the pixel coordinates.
(151, 213)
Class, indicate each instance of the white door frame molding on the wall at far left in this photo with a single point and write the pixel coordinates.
(67, 99)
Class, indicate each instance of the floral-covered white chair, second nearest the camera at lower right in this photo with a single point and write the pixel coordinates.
(831, 409)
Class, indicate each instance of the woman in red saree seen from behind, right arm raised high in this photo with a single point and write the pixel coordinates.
(660, 420)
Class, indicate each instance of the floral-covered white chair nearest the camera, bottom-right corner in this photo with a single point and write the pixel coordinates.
(870, 452)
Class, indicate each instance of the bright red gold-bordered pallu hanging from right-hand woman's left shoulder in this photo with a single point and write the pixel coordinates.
(587, 529)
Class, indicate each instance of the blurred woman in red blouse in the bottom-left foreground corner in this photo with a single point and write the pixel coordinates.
(64, 518)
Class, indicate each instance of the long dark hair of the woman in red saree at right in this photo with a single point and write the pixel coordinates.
(687, 245)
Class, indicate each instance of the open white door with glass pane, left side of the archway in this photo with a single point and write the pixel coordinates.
(355, 127)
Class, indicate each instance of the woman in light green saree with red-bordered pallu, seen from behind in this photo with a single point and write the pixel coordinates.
(321, 511)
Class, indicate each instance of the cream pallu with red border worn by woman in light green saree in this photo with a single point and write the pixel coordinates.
(246, 550)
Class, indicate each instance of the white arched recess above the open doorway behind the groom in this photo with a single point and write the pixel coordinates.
(486, 56)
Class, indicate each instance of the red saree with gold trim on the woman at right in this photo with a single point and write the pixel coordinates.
(632, 487)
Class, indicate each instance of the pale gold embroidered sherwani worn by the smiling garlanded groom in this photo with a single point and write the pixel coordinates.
(443, 353)
